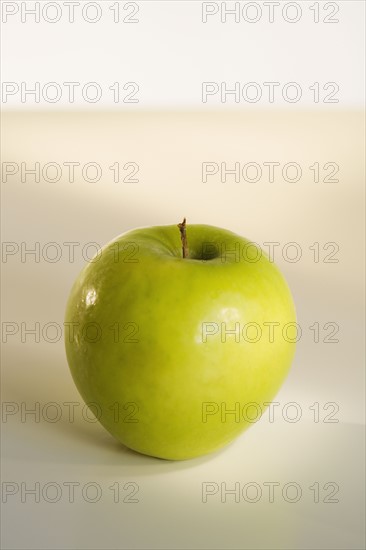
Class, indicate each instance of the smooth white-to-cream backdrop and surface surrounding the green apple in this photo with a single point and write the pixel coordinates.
(288, 175)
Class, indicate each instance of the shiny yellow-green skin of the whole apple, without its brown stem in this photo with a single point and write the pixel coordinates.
(150, 393)
